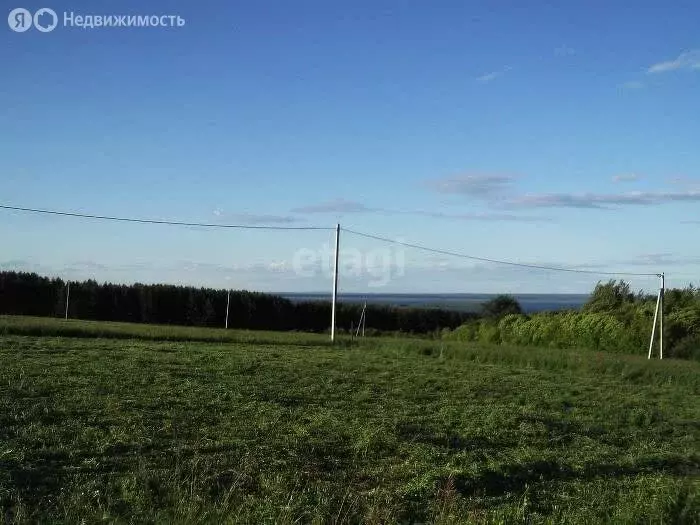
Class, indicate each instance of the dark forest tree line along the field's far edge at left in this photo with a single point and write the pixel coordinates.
(30, 294)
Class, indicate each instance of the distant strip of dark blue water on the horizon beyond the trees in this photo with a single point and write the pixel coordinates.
(464, 302)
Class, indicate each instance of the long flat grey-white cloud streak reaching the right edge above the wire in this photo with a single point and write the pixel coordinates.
(601, 201)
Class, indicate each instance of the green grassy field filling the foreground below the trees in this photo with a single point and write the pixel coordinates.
(283, 428)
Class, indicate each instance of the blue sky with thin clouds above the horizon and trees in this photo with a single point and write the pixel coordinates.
(551, 134)
